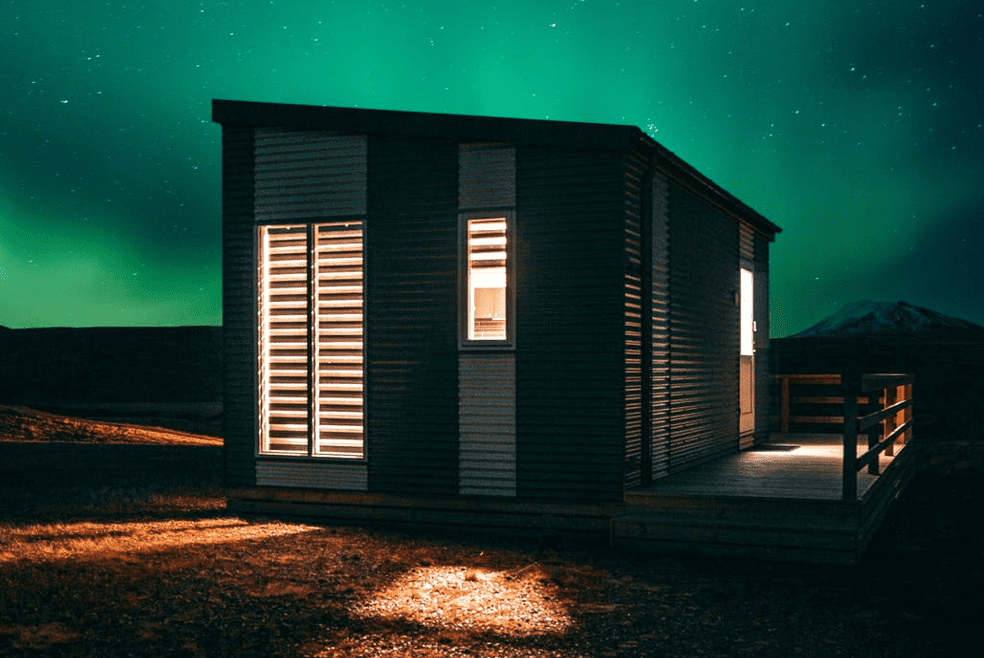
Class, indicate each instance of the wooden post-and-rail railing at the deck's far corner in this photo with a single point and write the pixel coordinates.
(877, 405)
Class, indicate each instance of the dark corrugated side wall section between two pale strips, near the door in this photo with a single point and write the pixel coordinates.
(704, 330)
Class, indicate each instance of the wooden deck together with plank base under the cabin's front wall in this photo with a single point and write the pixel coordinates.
(761, 503)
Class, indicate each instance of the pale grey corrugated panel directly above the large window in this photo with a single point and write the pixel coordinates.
(308, 175)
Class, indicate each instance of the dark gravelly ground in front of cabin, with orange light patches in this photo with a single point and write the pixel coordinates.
(164, 570)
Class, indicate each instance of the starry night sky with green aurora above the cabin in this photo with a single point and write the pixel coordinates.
(855, 126)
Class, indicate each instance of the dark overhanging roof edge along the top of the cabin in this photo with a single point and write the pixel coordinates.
(473, 128)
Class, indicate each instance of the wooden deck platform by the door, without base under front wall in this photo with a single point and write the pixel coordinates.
(766, 503)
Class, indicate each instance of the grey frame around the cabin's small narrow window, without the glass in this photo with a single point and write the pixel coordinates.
(465, 343)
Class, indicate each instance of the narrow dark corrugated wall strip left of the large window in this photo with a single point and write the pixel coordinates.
(238, 306)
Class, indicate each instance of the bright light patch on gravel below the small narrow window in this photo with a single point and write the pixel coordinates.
(517, 603)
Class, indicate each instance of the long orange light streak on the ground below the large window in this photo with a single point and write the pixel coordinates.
(87, 540)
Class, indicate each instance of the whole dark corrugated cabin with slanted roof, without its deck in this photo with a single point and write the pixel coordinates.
(479, 311)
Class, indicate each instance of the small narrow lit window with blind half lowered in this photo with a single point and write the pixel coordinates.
(487, 302)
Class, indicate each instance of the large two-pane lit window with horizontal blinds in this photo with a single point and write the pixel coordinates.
(311, 379)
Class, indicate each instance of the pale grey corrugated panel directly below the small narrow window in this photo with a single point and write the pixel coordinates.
(487, 422)
